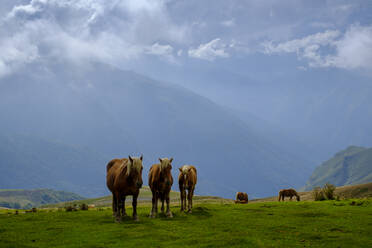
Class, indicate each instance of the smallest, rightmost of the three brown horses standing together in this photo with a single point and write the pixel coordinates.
(187, 181)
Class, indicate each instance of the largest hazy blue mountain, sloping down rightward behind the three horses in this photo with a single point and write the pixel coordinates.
(116, 113)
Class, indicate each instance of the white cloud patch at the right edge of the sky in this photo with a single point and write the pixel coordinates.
(351, 50)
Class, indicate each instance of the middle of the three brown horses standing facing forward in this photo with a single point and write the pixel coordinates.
(160, 182)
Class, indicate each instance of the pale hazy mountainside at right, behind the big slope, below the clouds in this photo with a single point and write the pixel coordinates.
(320, 110)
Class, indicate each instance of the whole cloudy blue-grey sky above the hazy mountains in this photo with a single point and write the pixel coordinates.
(302, 35)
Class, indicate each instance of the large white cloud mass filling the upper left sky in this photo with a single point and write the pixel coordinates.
(108, 31)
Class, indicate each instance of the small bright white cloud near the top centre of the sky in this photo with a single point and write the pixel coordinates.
(209, 51)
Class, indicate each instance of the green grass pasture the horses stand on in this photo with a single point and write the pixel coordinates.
(345, 223)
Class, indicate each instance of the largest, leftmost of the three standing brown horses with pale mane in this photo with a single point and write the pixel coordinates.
(124, 177)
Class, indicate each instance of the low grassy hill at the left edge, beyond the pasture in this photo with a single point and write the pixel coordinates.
(24, 199)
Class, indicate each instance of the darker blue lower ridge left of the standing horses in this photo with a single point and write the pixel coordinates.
(27, 162)
